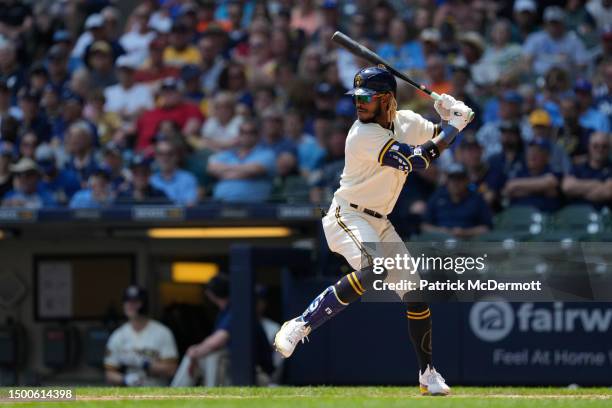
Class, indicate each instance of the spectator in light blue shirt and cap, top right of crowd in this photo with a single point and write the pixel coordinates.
(554, 46)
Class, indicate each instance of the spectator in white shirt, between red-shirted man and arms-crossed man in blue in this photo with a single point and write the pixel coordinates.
(220, 131)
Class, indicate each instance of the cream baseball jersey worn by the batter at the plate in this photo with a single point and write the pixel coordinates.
(365, 181)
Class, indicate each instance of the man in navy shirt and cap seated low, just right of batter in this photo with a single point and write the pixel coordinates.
(456, 210)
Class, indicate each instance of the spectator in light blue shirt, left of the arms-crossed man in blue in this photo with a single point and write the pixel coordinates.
(179, 185)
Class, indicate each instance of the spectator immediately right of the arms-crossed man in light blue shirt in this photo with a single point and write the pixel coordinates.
(273, 138)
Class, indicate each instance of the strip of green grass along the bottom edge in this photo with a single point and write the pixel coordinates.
(332, 397)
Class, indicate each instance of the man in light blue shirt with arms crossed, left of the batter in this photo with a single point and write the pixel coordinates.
(244, 173)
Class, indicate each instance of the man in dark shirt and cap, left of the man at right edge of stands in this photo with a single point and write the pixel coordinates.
(536, 184)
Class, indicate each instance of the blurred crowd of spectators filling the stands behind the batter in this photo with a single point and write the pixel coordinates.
(183, 101)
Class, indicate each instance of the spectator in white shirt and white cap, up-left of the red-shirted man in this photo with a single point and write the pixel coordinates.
(128, 99)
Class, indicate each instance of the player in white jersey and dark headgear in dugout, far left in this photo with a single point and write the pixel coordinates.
(141, 352)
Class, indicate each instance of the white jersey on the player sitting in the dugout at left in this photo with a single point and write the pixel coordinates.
(154, 342)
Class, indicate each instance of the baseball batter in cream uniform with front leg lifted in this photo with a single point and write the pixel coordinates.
(382, 147)
